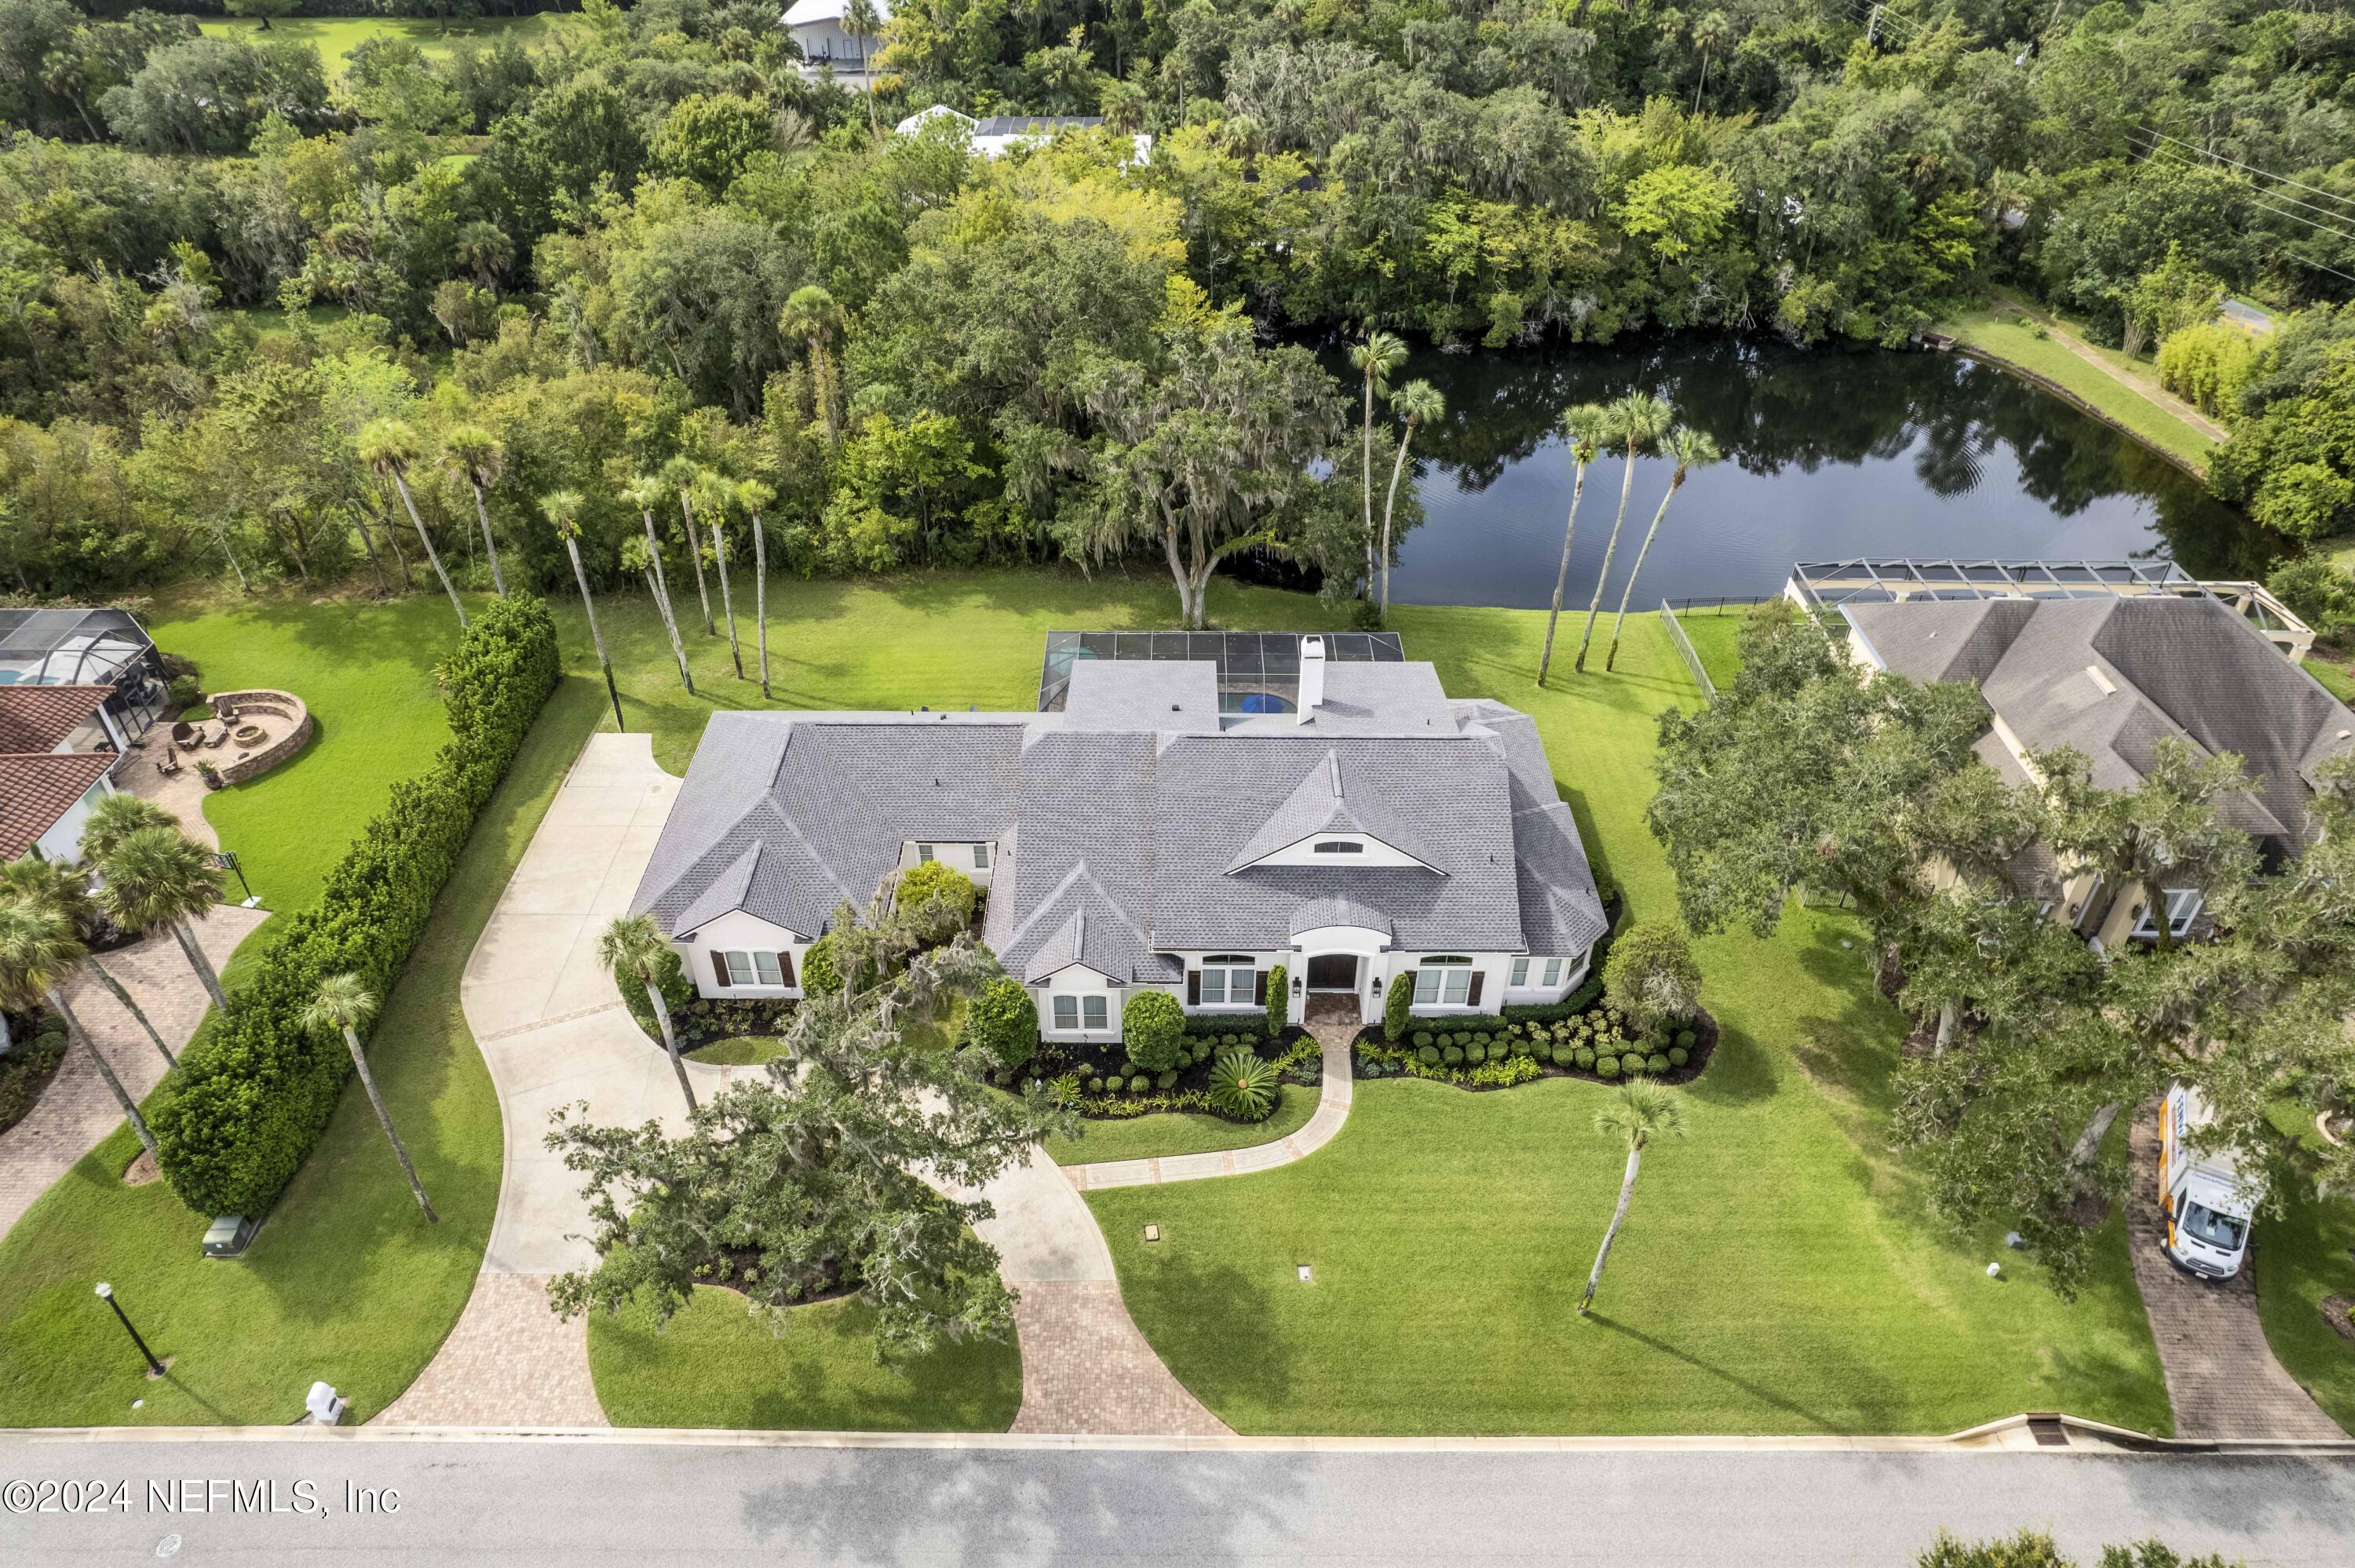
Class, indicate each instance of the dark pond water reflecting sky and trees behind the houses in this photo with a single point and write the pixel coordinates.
(1831, 453)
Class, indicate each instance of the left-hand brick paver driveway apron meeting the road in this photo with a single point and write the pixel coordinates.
(508, 1364)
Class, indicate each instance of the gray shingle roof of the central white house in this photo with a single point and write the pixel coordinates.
(1125, 839)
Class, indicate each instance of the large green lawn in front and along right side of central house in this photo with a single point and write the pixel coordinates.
(1779, 1273)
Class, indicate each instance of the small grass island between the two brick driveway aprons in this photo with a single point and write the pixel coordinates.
(719, 1367)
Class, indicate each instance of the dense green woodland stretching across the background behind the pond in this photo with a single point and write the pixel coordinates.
(651, 255)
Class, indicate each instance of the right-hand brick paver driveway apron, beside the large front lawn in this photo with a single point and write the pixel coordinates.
(1089, 1371)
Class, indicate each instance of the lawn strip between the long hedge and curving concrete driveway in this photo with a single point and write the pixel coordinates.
(345, 1280)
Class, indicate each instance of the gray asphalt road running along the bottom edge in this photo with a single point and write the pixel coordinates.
(470, 1503)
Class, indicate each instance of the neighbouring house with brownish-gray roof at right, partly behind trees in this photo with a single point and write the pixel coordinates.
(2114, 679)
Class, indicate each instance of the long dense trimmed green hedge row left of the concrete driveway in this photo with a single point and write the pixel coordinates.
(256, 1094)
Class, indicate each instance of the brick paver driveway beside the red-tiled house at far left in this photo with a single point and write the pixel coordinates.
(77, 1112)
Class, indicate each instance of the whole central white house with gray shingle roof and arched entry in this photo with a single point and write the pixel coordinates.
(1150, 835)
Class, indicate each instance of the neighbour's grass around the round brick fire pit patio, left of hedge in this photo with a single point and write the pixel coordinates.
(366, 672)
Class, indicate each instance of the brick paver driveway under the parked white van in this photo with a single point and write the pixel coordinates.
(2222, 1376)
